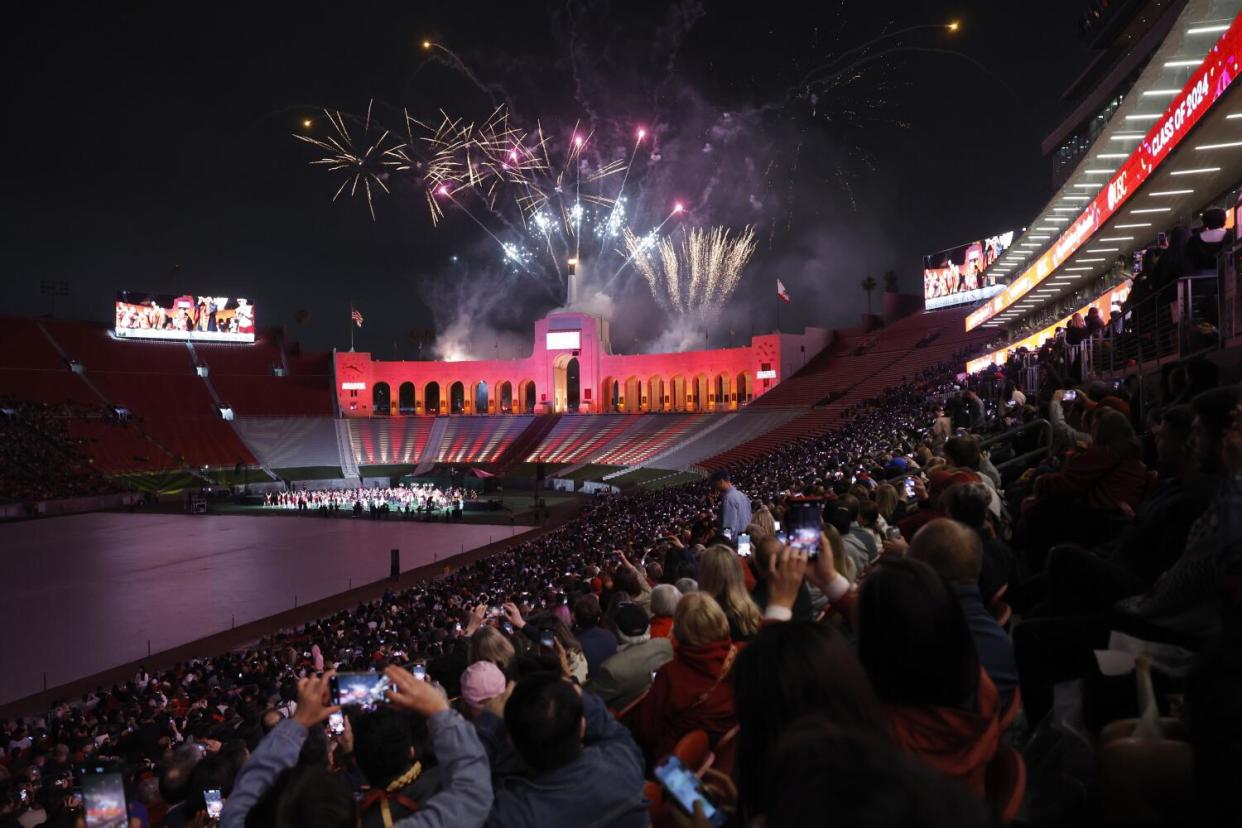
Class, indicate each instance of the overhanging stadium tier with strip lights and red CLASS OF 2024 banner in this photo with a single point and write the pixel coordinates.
(1173, 145)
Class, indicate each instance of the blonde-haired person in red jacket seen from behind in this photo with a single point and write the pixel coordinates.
(695, 691)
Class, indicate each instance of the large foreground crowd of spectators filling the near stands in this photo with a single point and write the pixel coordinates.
(890, 672)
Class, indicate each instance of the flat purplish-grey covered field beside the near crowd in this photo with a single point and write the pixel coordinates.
(84, 594)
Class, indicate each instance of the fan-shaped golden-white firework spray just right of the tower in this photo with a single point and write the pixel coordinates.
(694, 271)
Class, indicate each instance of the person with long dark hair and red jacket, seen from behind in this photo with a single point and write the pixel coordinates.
(916, 647)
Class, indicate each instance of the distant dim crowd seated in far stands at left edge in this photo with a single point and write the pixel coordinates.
(39, 460)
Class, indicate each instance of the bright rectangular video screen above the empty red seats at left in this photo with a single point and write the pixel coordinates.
(214, 320)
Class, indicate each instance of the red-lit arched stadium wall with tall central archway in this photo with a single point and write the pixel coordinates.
(711, 380)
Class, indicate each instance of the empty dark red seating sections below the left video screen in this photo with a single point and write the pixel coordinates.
(177, 418)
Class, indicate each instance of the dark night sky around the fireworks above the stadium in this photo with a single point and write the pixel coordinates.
(152, 151)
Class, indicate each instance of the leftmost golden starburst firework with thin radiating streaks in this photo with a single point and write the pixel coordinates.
(366, 163)
